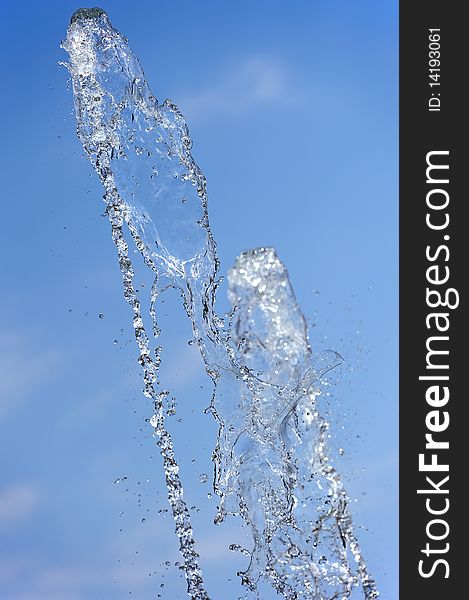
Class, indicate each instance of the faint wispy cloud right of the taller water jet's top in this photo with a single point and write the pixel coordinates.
(256, 82)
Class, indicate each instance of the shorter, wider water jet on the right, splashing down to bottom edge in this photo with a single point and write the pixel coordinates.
(274, 467)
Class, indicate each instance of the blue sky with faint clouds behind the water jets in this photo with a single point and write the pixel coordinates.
(293, 113)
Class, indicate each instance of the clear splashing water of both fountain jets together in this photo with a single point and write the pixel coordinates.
(271, 463)
